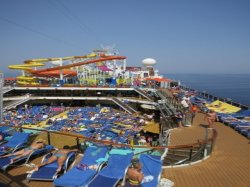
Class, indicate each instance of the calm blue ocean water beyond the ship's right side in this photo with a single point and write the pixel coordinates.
(232, 86)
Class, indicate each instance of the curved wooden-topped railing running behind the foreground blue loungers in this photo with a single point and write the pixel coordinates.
(194, 152)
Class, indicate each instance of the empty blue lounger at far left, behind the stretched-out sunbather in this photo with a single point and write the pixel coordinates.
(17, 141)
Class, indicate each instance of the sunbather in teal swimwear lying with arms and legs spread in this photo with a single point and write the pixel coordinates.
(60, 156)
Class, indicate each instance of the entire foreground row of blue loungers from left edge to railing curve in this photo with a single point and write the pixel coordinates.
(111, 165)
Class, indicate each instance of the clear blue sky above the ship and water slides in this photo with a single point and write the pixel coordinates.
(184, 36)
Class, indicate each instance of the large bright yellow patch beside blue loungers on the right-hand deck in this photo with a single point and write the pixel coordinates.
(222, 107)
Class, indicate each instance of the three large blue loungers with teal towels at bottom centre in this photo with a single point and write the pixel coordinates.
(111, 168)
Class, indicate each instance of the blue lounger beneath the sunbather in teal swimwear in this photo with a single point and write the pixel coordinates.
(48, 172)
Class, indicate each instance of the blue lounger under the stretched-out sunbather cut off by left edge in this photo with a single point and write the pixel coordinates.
(5, 162)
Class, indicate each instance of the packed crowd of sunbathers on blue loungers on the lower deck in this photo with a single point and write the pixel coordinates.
(101, 123)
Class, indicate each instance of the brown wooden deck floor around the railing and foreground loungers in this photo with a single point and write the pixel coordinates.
(229, 164)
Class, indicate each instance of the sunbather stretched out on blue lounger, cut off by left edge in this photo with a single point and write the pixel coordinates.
(38, 144)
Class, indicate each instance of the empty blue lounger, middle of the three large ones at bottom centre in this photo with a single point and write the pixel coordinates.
(114, 171)
